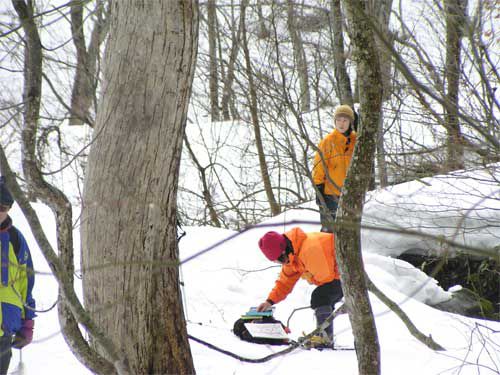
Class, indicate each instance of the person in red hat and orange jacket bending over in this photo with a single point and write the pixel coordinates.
(310, 256)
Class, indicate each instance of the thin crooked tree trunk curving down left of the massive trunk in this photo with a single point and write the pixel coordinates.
(70, 311)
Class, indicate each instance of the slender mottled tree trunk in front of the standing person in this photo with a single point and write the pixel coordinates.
(348, 236)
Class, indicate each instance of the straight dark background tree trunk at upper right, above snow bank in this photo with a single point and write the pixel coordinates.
(454, 11)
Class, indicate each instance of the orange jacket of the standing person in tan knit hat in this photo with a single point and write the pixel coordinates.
(337, 152)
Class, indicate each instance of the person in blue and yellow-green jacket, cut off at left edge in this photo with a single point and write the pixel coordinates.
(17, 306)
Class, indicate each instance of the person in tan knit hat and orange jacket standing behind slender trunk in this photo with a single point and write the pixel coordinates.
(331, 163)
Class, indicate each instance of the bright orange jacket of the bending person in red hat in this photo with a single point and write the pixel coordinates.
(313, 259)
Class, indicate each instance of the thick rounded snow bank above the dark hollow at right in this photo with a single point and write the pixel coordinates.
(463, 207)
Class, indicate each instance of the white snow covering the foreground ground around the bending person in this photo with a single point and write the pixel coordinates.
(223, 283)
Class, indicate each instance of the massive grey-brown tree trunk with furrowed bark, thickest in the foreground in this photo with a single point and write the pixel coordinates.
(129, 246)
